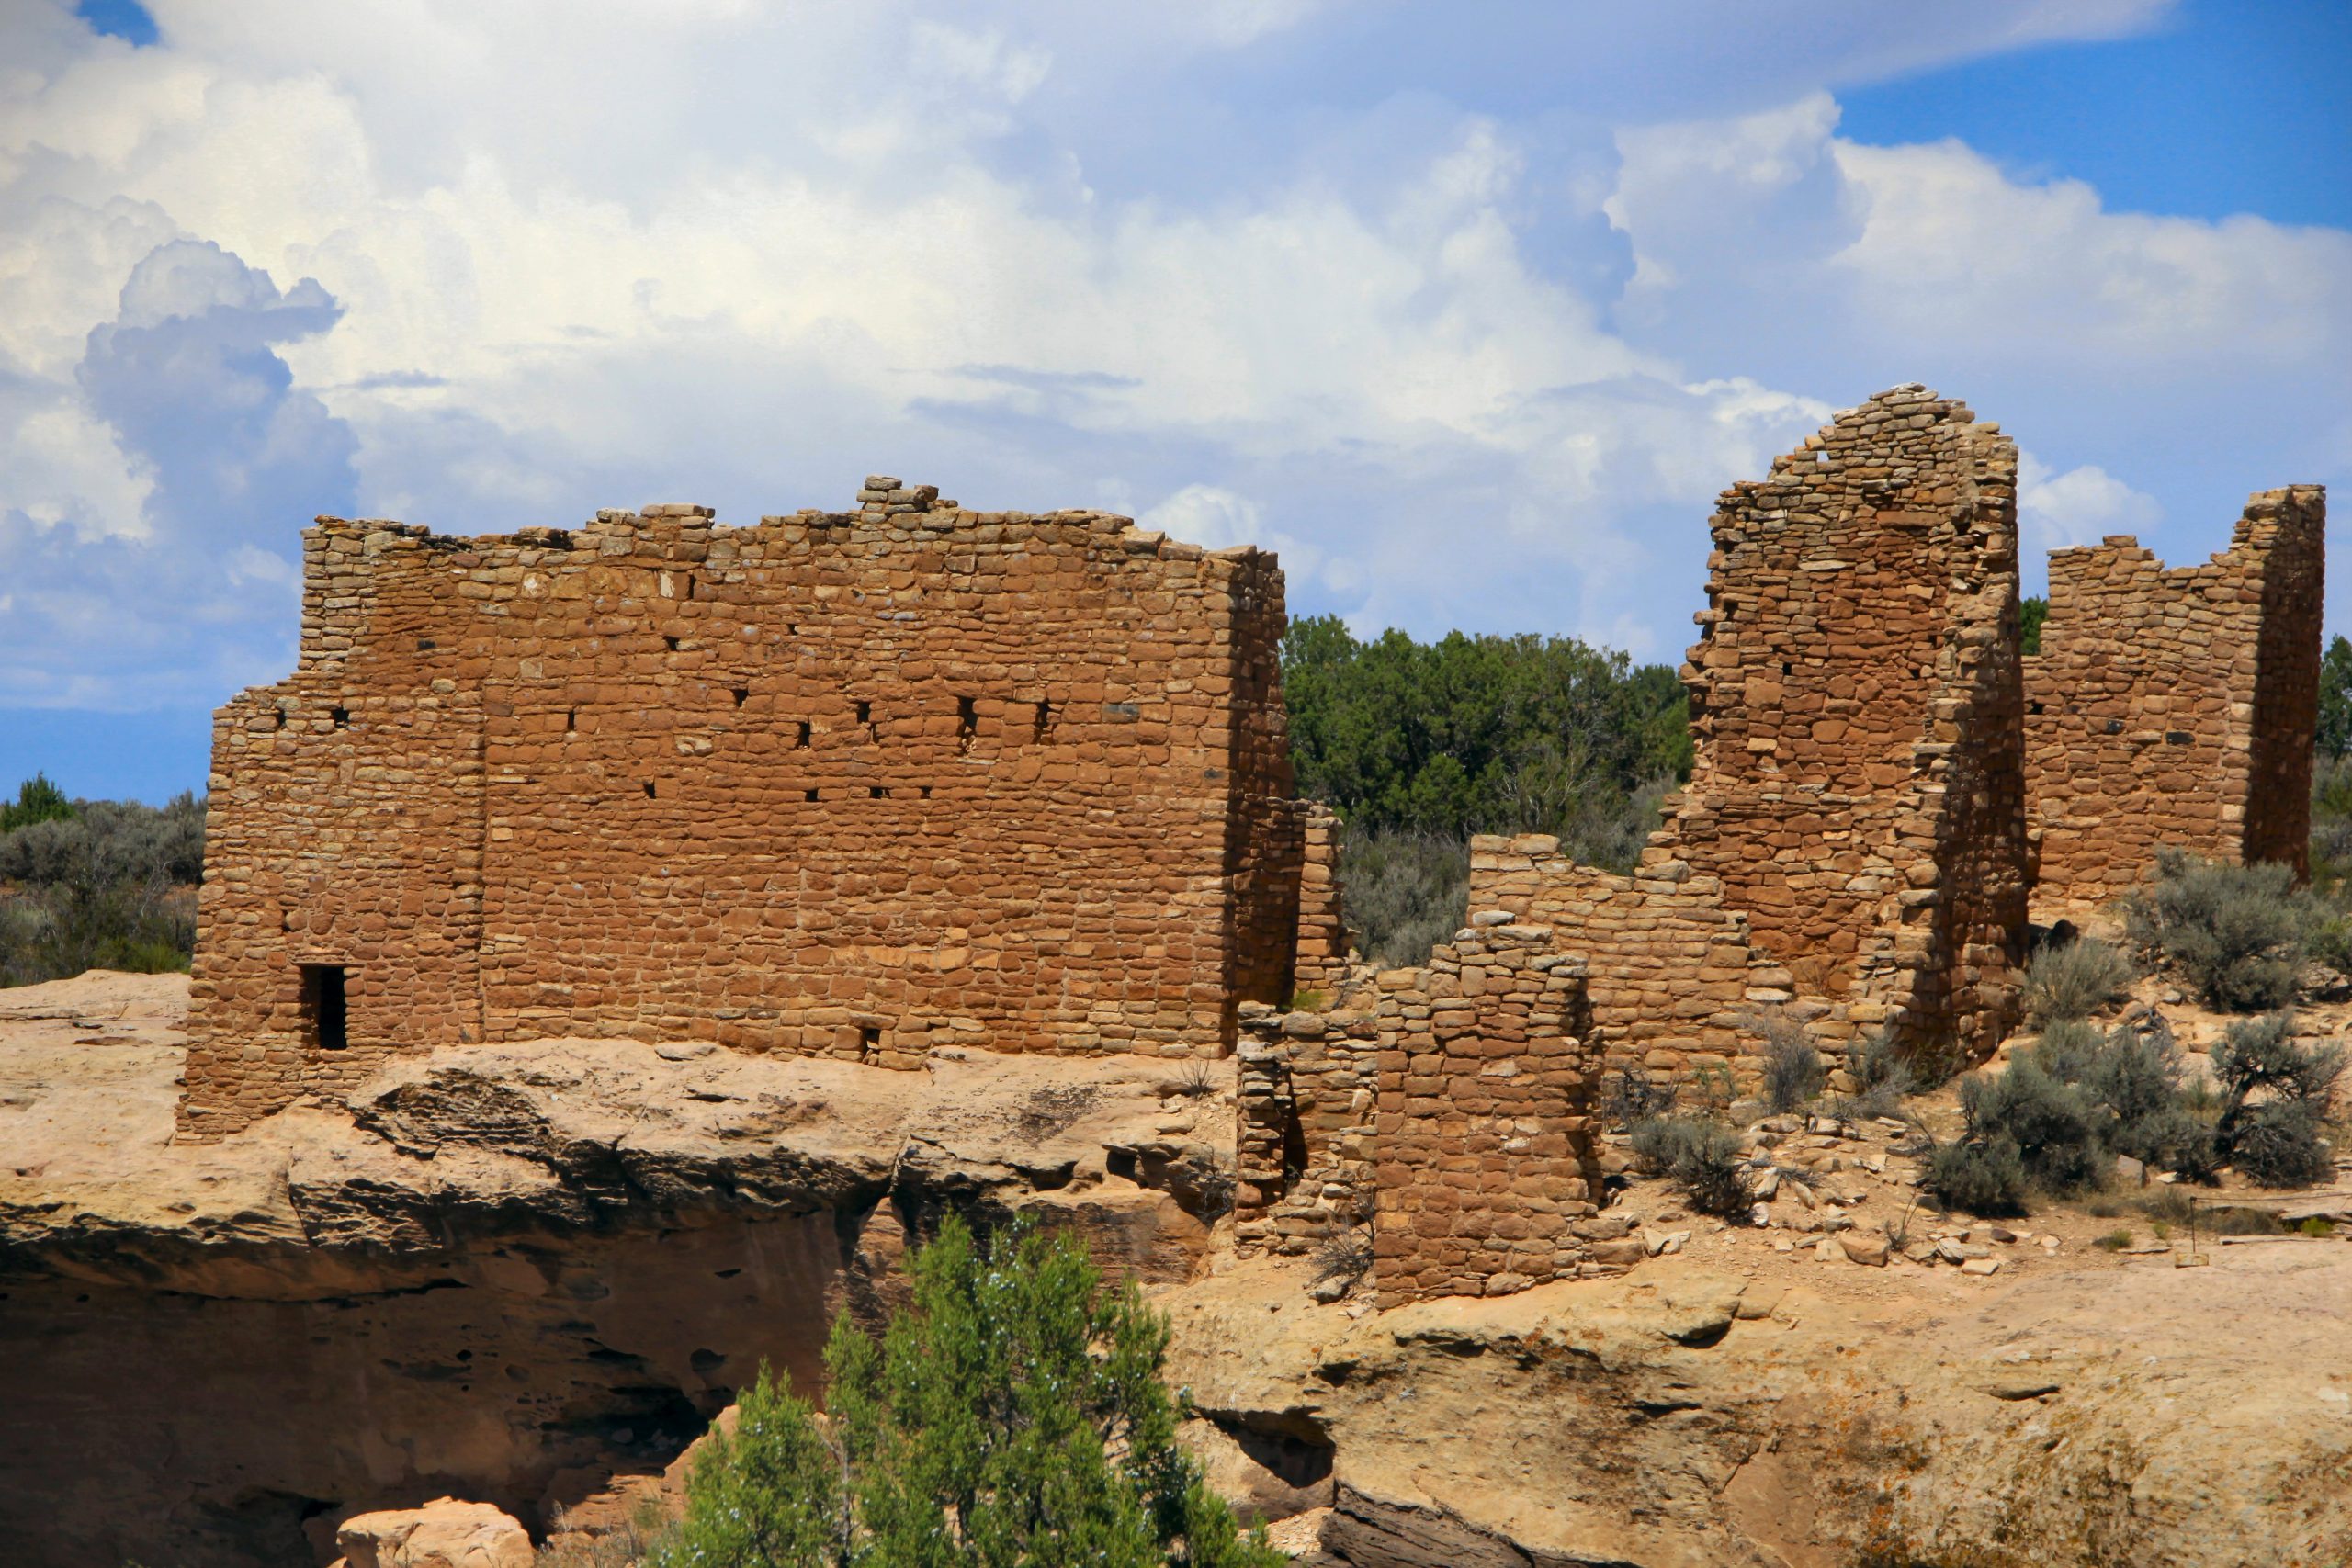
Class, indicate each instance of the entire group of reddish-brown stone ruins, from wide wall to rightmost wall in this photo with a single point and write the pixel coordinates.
(867, 784)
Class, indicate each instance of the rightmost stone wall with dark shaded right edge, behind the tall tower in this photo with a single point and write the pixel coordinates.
(2177, 706)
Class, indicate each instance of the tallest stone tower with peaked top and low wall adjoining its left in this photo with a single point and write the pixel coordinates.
(1857, 810)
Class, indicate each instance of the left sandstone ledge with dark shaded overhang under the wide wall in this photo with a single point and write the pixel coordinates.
(493, 1273)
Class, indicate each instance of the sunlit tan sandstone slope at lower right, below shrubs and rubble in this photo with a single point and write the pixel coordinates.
(1690, 1416)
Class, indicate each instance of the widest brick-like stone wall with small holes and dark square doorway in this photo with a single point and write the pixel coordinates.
(836, 784)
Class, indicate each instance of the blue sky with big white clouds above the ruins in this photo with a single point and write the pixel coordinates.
(1469, 311)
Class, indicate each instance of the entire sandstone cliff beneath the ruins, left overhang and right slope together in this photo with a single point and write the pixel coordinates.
(519, 1273)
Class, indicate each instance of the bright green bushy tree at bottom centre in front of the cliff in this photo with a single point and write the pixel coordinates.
(1015, 1416)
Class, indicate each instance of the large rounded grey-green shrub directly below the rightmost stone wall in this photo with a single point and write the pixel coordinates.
(2238, 934)
